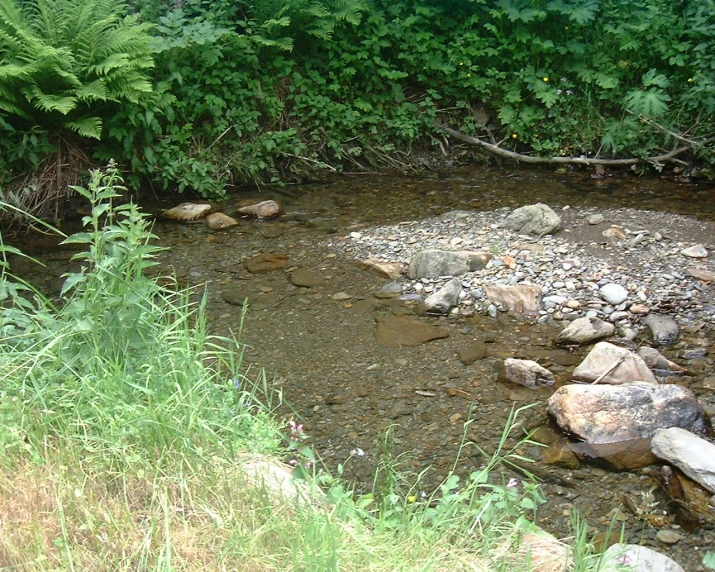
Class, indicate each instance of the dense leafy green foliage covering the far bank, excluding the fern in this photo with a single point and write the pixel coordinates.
(269, 90)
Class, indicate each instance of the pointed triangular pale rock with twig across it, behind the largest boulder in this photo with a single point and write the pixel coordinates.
(612, 365)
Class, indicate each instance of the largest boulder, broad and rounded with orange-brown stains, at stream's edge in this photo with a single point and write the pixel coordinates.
(609, 414)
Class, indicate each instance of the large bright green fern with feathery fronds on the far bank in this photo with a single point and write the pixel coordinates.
(64, 62)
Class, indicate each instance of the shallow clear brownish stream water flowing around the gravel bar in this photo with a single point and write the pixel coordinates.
(360, 400)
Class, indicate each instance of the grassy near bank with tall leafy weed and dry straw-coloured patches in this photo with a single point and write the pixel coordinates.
(131, 440)
